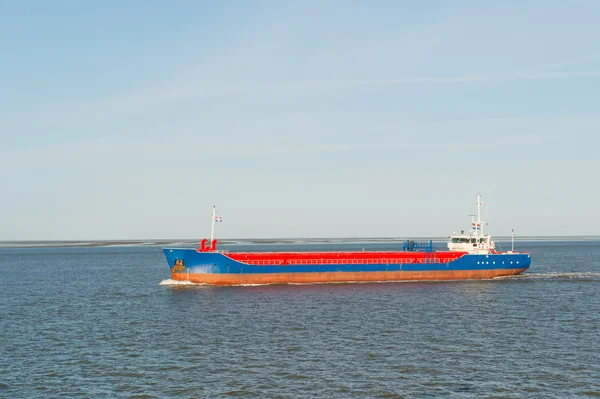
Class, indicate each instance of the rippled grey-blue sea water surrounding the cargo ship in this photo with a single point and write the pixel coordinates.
(96, 322)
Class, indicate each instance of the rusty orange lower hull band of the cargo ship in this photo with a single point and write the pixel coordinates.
(340, 277)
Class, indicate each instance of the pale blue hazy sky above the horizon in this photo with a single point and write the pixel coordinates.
(130, 120)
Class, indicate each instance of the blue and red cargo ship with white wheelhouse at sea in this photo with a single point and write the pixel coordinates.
(469, 255)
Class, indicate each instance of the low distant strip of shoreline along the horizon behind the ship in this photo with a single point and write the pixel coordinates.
(264, 241)
